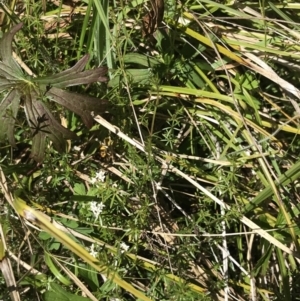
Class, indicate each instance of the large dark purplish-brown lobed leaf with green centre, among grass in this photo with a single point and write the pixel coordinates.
(35, 93)
